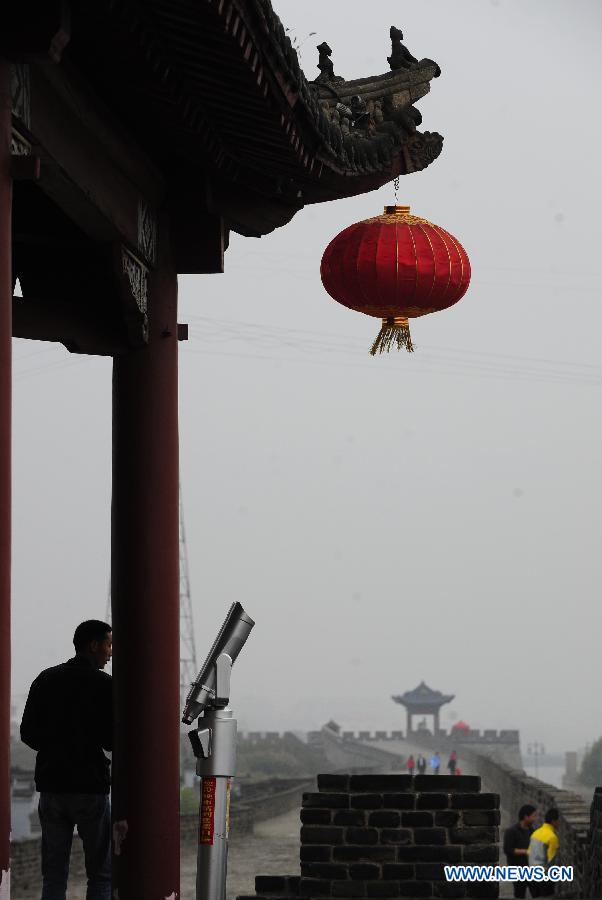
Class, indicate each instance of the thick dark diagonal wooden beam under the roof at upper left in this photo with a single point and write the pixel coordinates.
(90, 167)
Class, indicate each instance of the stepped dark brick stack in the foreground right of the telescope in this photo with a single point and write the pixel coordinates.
(390, 836)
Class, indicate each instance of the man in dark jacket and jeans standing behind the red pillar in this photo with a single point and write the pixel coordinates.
(68, 719)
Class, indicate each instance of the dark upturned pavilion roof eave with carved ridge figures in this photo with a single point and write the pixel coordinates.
(214, 93)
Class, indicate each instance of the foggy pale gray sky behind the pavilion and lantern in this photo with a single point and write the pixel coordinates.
(435, 516)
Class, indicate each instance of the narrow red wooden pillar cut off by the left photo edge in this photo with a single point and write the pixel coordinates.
(5, 474)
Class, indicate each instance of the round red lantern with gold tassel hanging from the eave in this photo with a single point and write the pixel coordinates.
(396, 267)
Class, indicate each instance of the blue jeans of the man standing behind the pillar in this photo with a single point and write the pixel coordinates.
(59, 814)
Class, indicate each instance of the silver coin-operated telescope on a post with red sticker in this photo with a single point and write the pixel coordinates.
(214, 745)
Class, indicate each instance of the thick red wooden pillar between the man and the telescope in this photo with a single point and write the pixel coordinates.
(145, 598)
